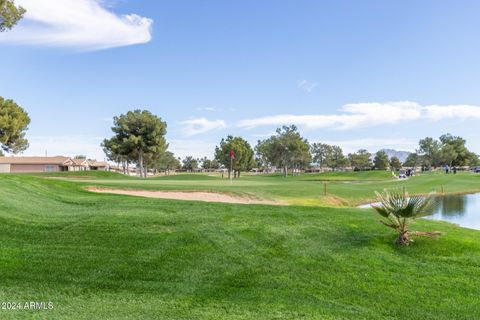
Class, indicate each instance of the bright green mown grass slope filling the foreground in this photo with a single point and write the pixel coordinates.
(107, 256)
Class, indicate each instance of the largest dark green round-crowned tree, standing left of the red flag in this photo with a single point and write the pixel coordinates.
(140, 134)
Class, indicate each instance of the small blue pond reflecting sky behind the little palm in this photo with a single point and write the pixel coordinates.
(463, 210)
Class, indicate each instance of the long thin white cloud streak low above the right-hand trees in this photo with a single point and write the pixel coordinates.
(364, 115)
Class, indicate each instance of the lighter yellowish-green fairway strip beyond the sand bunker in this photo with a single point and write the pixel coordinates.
(343, 189)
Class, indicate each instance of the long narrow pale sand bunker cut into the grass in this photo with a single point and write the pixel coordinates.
(185, 195)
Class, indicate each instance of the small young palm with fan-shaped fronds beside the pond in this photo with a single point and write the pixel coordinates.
(400, 210)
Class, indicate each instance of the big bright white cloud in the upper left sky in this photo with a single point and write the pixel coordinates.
(79, 24)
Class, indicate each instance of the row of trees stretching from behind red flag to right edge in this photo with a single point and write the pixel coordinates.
(288, 150)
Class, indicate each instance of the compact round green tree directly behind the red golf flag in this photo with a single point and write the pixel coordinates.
(244, 155)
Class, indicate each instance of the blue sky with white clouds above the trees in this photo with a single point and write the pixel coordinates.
(355, 73)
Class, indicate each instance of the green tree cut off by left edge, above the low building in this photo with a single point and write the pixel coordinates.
(14, 123)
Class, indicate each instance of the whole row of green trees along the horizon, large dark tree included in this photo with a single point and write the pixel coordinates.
(139, 139)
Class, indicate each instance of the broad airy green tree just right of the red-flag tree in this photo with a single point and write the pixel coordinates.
(285, 149)
